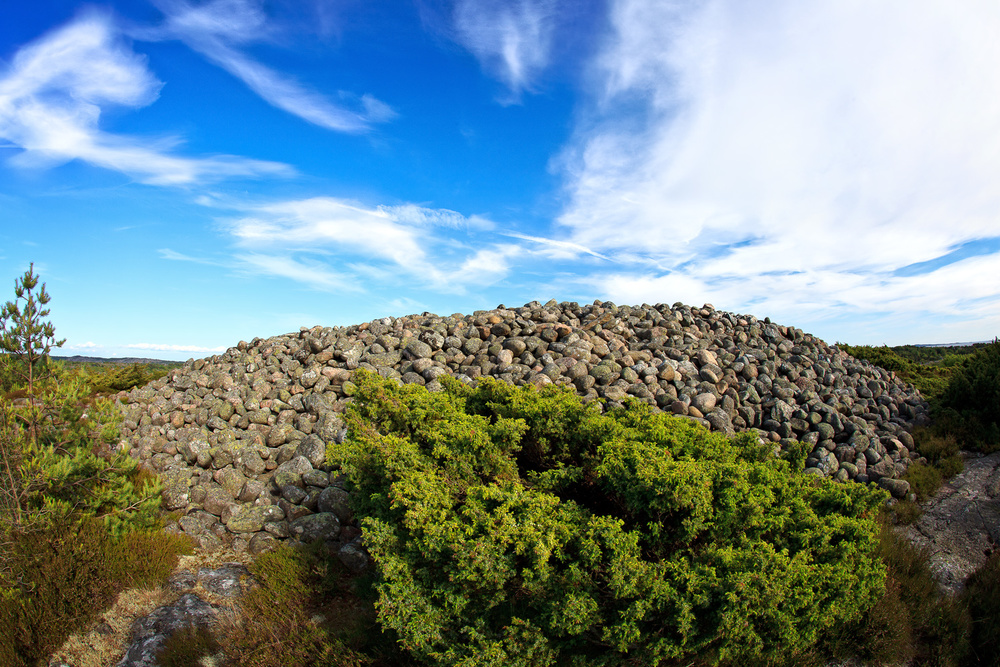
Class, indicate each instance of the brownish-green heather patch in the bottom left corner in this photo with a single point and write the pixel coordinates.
(67, 572)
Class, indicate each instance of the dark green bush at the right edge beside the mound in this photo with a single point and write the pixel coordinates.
(970, 407)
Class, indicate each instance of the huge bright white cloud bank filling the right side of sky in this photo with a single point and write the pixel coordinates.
(788, 156)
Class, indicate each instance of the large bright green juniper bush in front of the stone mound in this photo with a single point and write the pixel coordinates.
(520, 527)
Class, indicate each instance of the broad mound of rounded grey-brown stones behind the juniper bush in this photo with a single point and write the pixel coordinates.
(239, 438)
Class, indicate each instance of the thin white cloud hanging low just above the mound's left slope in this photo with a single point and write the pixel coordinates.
(302, 239)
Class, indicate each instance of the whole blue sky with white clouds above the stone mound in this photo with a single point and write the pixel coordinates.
(187, 174)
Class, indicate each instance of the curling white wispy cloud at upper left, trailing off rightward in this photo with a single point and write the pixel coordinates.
(53, 93)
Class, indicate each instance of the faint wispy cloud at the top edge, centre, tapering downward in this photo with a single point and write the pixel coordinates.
(512, 40)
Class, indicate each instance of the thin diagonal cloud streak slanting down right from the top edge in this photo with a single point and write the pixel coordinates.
(217, 29)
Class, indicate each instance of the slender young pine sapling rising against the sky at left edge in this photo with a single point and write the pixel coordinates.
(26, 340)
